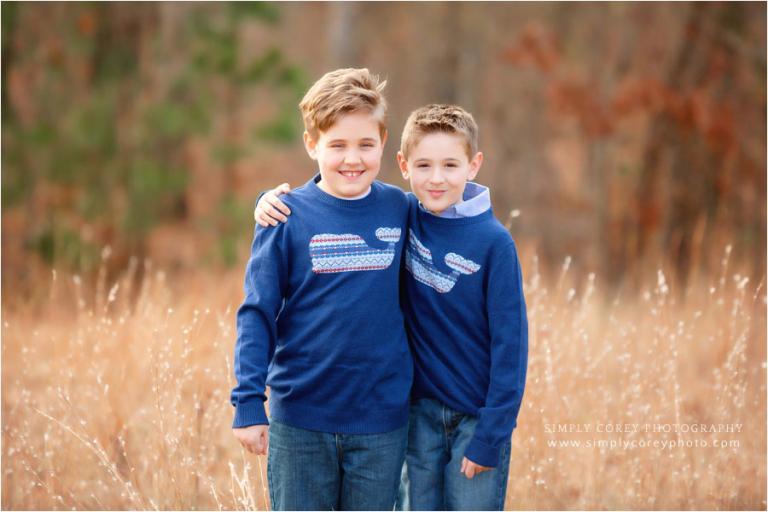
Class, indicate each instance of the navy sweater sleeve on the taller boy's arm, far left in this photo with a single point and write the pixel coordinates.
(265, 283)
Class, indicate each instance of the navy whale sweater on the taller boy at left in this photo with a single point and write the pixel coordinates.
(321, 322)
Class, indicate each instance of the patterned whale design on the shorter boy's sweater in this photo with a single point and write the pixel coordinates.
(418, 261)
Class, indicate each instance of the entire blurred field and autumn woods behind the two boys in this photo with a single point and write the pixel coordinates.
(625, 148)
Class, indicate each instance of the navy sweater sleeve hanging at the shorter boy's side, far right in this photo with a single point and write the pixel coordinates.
(508, 326)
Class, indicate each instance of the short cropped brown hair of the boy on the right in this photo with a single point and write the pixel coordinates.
(439, 118)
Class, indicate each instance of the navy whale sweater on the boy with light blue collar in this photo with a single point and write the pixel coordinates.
(467, 322)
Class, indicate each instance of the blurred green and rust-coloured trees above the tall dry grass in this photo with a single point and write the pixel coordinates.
(629, 136)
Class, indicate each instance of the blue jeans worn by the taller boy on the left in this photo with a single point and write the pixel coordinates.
(310, 470)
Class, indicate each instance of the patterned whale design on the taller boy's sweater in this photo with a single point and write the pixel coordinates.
(332, 253)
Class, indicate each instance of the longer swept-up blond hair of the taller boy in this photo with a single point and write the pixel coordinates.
(340, 92)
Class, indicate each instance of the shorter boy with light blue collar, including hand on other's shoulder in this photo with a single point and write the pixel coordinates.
(466, 320)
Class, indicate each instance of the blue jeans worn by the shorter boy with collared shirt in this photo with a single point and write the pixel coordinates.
(432, 479)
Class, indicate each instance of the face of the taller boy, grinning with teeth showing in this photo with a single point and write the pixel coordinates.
(348, 154)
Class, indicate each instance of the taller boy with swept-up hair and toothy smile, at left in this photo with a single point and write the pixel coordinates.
(321, 322)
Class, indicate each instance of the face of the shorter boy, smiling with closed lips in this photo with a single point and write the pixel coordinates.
(438, 168)
